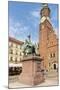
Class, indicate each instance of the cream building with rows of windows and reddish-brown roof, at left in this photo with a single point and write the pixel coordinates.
(15, 50)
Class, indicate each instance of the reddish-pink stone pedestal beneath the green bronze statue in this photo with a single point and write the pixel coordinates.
(32, 73)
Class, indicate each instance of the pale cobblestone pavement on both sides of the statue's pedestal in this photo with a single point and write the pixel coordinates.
(47, 82)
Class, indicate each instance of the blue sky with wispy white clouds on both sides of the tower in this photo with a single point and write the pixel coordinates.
(24, 19)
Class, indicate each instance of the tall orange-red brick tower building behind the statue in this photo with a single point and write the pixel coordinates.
(48, 41)
